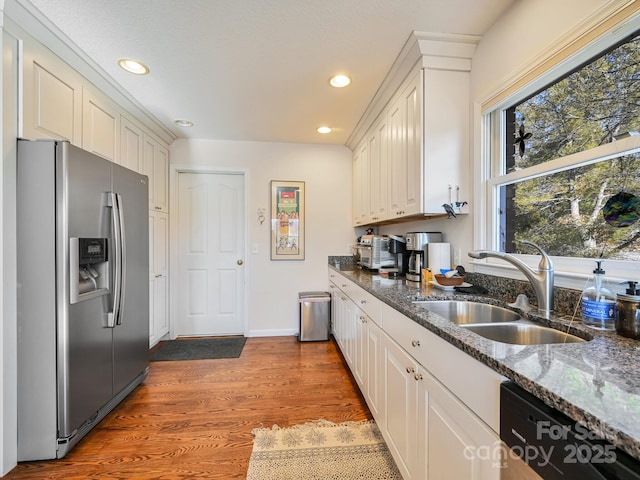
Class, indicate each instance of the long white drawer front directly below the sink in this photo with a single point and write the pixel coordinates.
(475, 384)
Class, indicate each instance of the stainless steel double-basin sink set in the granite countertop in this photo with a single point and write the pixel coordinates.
(496, 323)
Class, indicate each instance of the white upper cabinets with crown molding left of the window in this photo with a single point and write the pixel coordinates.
(420, 156)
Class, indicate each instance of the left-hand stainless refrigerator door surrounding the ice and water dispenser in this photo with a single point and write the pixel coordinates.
(84, 341)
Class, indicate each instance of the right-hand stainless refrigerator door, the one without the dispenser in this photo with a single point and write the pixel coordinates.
(131, 333)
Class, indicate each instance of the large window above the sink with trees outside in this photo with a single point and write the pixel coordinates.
(566, 164)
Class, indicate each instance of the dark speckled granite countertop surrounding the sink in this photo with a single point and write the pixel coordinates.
(595, 383)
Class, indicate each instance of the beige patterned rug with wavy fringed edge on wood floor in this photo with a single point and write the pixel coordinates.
(321, 451)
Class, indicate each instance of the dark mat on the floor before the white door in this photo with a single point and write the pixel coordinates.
(200, 349)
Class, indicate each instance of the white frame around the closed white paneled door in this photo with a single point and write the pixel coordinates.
(174, 170)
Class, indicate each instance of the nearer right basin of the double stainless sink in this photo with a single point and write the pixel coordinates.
(522, 333)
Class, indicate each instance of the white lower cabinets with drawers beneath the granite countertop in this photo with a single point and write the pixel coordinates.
(430, 432)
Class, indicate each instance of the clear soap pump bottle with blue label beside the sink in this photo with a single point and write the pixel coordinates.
(598, 302)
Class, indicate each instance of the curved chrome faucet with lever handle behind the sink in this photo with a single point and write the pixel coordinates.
(541, 279)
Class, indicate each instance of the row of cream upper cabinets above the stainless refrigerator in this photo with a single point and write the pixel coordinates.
(59, 103)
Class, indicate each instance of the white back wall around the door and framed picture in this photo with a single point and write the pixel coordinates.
(272, 286)
